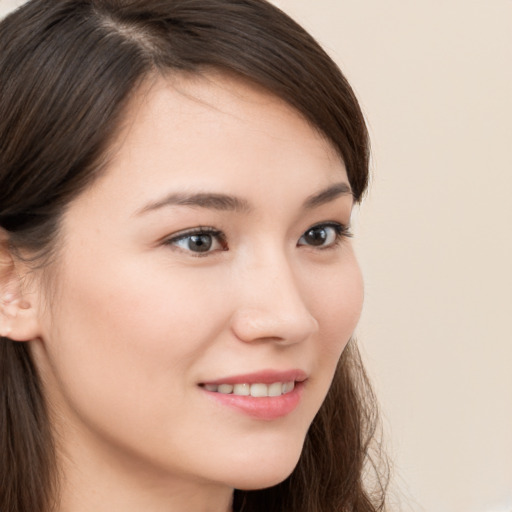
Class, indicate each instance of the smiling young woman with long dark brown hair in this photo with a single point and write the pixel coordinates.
(178, 287)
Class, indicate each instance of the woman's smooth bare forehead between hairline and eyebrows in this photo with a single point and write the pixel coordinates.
(216, 133)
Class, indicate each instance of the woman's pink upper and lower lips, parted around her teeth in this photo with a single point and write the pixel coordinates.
(262, 408)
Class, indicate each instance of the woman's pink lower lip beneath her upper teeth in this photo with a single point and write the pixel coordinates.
(263, 408)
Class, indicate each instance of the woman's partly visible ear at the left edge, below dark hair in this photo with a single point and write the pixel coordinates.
(18, 311)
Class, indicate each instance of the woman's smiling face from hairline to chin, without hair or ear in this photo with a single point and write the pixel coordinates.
(210, 260)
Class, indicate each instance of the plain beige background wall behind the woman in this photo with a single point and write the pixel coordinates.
(435, 80)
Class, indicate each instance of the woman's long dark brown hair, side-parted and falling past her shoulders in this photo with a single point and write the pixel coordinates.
(67, 71)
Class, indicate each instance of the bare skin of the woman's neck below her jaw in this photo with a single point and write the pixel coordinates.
(102, 481)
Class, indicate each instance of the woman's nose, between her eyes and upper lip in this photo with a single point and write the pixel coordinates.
(270, 306)
